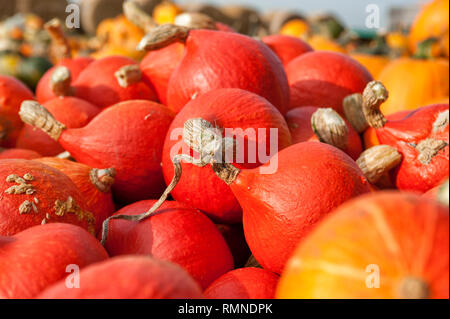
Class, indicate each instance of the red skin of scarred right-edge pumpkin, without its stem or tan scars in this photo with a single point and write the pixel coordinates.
(411, 174)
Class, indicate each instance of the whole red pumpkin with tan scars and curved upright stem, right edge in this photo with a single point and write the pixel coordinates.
(421, 138)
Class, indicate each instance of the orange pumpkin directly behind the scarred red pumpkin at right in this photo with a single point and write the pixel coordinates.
(412, 83)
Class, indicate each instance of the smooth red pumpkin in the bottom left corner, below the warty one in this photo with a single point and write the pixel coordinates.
(38, 257)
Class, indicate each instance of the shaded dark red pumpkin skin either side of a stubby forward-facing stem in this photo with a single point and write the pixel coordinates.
(299, 122)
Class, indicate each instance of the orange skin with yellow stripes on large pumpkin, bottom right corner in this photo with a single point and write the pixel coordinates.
(403, 234)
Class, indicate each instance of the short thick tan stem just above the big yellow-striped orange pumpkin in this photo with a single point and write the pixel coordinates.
(377, 161)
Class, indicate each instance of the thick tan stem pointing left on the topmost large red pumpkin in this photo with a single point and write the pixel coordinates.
(162, 36)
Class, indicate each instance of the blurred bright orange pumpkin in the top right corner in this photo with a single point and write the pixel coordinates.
(431, 22)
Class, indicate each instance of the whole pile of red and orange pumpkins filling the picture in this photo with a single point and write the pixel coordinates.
(332, 184)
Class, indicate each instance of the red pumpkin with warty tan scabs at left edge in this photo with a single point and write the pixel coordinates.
(34, 193)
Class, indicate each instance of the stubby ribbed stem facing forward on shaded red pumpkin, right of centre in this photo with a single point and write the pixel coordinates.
(330, 128)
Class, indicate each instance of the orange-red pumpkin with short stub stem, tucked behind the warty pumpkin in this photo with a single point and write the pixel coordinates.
(95, 185)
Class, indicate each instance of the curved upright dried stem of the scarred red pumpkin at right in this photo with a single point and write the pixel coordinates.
(374, 95)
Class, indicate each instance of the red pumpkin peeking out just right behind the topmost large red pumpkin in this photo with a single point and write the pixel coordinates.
(286, 47)
